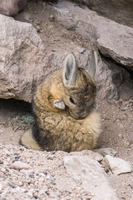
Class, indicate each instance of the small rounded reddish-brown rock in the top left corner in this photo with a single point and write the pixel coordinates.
(12, 7)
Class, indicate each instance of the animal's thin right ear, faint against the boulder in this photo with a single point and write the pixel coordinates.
(92, 64)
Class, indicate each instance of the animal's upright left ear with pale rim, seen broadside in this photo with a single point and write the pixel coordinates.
(70, 70)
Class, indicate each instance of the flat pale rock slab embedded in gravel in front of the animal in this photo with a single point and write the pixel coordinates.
(91, 176)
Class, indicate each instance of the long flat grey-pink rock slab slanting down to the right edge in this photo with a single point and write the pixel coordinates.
(109, 36)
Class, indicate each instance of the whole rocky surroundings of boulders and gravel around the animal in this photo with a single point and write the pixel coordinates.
(35, 37)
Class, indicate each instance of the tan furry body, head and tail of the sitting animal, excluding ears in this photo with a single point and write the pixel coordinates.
(74, 128)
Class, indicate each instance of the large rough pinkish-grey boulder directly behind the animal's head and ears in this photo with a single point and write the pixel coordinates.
(25, 62)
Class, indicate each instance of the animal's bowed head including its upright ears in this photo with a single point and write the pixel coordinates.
(79, 89)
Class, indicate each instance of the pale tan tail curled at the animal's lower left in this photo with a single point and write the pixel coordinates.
(28, 141)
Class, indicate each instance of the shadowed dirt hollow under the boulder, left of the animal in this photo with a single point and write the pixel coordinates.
(15, 118)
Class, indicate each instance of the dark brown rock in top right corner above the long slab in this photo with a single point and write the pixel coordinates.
(117, 10)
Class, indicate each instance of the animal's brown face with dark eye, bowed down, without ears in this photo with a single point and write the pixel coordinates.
(80, 96)
